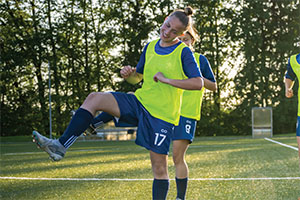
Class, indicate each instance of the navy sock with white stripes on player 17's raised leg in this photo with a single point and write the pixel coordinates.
(79, 123)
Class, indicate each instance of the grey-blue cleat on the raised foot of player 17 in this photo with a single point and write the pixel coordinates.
(54, 148)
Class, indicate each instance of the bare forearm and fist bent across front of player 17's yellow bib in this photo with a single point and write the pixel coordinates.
(186, 84)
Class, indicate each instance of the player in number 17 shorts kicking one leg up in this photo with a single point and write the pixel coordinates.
(167, 66)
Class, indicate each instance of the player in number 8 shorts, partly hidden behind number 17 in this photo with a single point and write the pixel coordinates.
(190, 113)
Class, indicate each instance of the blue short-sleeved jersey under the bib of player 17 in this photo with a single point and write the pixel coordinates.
(189, 63)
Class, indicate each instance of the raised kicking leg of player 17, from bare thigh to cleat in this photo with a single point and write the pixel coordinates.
(96, 101)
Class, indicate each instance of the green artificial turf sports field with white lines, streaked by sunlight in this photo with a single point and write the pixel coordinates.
(220, 168)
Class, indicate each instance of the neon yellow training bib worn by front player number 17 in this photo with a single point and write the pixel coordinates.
(161, 100)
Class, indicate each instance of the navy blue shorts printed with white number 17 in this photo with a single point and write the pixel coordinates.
(152, 133)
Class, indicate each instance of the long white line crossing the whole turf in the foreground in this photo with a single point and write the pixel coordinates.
(126, 179)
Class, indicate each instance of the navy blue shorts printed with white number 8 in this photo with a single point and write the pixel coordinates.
(185, 129)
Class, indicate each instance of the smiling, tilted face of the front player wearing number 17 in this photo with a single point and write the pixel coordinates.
(171, 29)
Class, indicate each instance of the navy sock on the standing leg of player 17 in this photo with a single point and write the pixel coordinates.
(160, 189)
